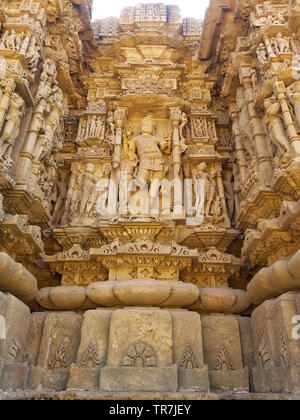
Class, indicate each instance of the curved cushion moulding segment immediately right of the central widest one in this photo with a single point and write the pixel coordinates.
(182, 294)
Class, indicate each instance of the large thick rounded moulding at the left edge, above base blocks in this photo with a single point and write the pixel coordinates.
(16, 279)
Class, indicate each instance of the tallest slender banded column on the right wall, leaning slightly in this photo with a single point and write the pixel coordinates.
(264, 158)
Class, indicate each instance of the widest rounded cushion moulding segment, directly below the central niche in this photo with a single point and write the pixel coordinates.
(142, 292)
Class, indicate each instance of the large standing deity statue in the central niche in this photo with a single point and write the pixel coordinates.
(149, 150)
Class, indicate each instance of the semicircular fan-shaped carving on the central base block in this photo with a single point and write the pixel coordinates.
(139, 355)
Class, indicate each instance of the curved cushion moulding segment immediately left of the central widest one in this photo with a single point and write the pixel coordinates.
(102, 293)
